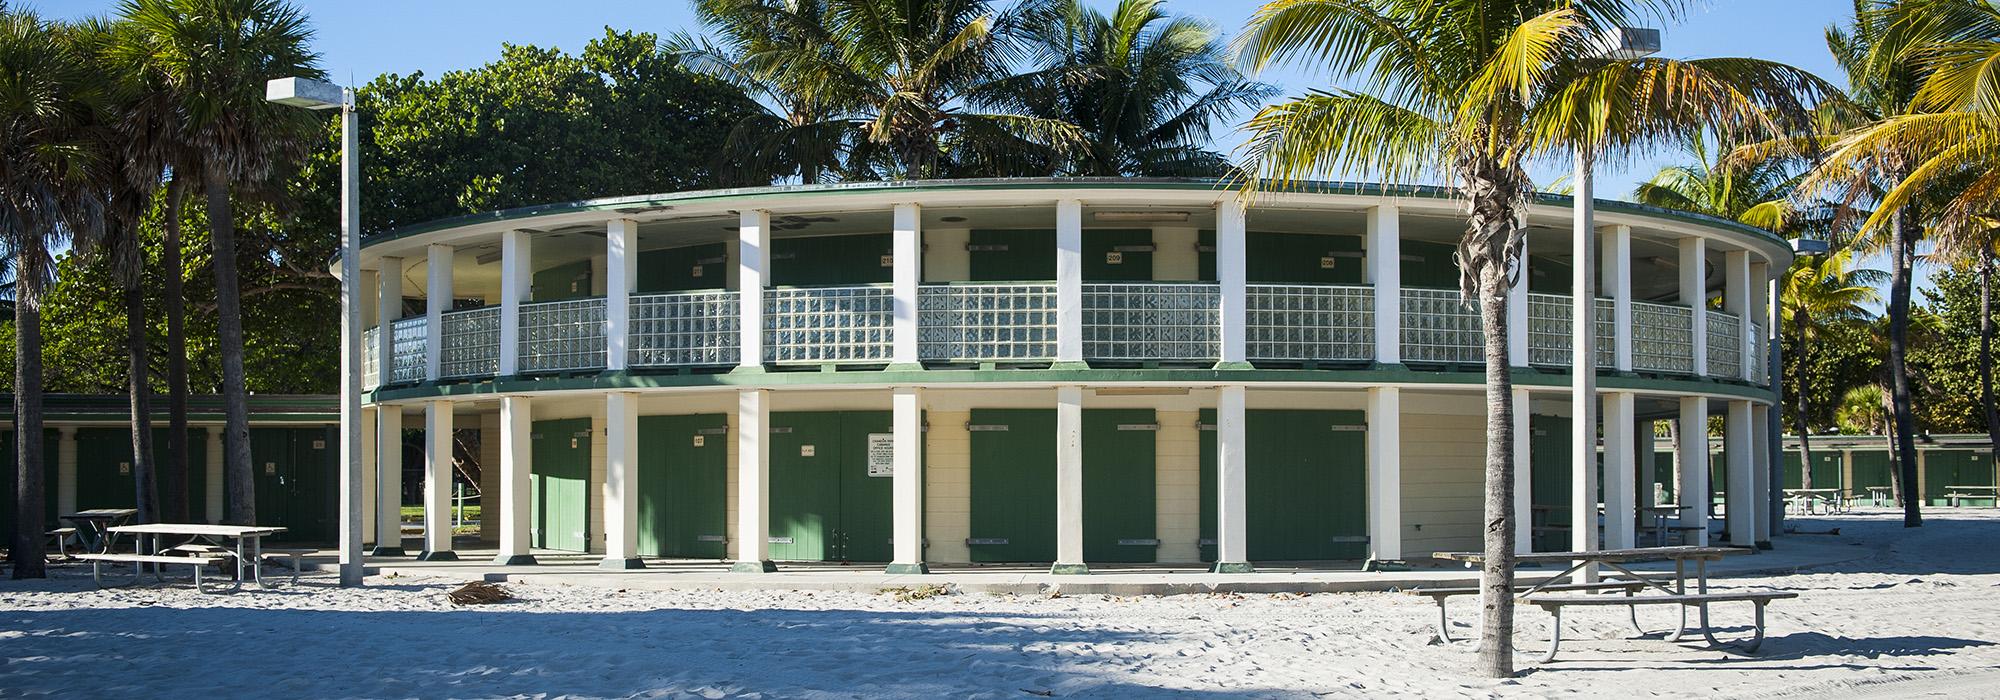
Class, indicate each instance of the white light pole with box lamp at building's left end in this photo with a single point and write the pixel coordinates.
(317, 95)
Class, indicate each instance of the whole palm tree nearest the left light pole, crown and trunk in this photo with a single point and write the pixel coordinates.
(215, 57)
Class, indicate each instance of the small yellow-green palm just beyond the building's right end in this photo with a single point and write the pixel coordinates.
(1817, 295)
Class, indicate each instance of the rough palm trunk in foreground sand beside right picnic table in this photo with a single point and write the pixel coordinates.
(1497, 573)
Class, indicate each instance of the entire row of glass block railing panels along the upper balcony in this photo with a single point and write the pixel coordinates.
(1005, 325)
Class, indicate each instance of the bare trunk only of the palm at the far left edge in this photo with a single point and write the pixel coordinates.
(29, 551)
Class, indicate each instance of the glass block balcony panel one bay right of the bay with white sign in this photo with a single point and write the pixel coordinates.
(987, 323)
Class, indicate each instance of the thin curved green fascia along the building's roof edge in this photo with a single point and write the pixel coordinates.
(651, 203)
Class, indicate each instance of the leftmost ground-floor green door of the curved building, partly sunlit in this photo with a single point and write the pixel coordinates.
(561, 485)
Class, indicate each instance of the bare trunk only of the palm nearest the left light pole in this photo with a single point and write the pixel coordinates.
(231, 335)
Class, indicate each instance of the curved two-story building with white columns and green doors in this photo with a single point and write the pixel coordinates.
(1057, 371)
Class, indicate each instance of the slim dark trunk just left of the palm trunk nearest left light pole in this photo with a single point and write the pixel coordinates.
(175, 473)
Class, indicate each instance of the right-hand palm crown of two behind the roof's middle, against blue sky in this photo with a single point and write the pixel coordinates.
(1145, 87)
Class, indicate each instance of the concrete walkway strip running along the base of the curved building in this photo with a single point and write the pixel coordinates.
(569, 569)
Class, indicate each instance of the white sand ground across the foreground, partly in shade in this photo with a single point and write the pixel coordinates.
(1921, 617)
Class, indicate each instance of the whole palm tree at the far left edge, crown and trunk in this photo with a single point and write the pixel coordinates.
(49, 195)
